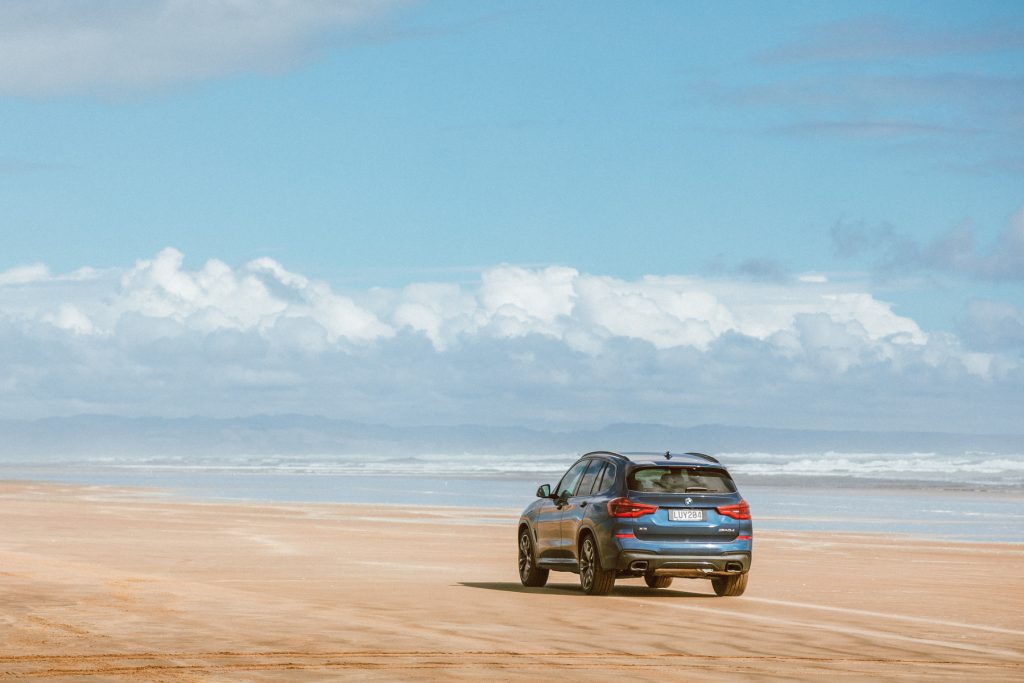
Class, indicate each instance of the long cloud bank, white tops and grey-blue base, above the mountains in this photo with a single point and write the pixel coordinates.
(551, 346)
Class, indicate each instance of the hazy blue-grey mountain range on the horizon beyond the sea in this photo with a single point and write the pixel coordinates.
(93, 436)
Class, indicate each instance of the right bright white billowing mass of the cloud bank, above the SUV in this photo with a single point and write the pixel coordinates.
(584, 312)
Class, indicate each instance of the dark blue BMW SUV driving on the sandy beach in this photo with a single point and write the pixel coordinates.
(659, 517)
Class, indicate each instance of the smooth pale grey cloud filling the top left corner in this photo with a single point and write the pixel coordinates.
(60, 47)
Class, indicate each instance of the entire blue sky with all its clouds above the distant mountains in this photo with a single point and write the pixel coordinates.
(761, 152)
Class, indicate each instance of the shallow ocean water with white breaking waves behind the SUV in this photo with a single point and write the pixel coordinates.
(974, 497)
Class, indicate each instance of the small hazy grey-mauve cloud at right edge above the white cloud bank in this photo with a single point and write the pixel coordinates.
(954, 252)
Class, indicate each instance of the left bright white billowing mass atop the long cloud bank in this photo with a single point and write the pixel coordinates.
(160, 294)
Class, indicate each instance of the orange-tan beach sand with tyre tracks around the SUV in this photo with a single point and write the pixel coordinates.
(98, 584)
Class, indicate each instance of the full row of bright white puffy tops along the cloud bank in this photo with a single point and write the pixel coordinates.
(581, 311)
